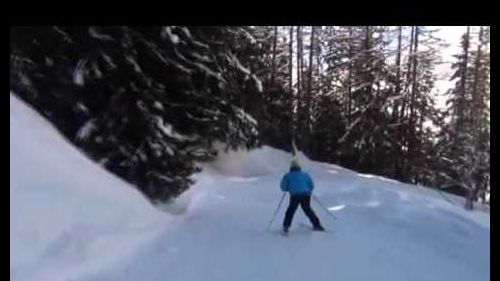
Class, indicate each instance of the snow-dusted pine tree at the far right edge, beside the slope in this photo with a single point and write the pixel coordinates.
(464, 141)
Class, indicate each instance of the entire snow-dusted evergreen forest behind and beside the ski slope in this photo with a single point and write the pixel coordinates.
(148, 103)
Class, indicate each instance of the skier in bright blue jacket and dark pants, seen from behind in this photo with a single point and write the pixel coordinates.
(300, 185)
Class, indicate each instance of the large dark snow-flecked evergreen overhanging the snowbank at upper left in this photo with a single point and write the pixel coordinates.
(146, 102)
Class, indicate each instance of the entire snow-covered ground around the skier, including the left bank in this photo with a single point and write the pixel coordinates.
(71, 220)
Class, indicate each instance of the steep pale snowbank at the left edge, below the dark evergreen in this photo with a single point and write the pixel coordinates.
(65, 209)
